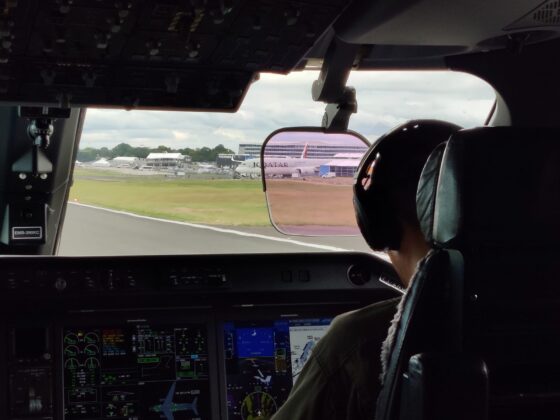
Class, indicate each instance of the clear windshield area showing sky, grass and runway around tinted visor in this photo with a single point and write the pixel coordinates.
(153, 182)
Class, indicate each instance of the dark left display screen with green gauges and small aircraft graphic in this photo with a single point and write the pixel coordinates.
(136, 372)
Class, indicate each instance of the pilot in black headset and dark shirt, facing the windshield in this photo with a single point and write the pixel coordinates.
(342, 378)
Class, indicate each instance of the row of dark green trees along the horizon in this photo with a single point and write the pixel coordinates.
(203, 154)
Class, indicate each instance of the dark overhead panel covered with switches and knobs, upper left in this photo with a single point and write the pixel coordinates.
(198, 54)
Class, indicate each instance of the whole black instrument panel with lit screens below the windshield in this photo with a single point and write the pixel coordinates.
(225, 349)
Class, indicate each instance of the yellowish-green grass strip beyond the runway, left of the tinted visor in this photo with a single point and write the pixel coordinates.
(208, 201)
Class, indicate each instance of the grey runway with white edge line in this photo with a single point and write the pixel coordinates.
(94, 231)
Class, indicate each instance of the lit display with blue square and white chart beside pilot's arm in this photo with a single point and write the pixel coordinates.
(263, 360)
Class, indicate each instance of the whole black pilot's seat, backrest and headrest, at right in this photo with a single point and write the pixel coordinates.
(490, 204)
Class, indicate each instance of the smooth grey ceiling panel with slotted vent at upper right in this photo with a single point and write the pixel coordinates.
(414, 31)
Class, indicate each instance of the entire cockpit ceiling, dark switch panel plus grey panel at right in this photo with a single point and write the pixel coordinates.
(204, 54)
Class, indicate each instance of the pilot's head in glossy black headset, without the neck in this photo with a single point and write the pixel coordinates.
(395, 160)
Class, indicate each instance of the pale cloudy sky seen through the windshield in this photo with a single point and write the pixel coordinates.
(385, 99)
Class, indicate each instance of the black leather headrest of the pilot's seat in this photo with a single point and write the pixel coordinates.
(494, 184)
